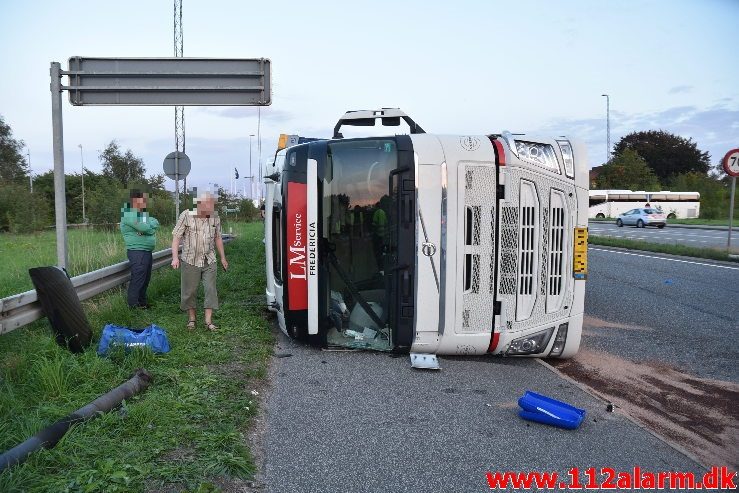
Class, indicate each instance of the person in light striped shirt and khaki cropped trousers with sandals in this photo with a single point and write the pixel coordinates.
(200, 230)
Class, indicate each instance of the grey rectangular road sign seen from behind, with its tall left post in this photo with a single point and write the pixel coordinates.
(149, 82)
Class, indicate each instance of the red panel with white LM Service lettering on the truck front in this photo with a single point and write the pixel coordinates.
(297, 241)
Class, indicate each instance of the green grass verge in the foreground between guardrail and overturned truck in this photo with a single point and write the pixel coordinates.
(188, 431)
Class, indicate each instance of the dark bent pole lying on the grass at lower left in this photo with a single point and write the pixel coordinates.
(50, 436)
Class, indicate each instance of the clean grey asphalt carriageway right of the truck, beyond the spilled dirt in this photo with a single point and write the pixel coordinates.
(678, 311)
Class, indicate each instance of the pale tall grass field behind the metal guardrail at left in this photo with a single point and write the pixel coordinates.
(88, 249)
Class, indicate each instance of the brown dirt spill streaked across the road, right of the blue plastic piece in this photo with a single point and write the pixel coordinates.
(699, 415)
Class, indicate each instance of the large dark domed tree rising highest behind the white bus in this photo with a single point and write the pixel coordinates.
(667, 154)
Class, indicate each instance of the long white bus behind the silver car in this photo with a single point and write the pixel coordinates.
(611, 203)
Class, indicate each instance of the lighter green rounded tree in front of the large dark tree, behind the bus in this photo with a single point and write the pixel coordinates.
(627, 171)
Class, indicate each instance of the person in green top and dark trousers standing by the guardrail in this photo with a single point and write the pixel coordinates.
(139, 234)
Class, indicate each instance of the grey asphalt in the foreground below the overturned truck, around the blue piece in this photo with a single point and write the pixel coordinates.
(361, 421)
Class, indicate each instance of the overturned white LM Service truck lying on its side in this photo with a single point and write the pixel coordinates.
(434, 244)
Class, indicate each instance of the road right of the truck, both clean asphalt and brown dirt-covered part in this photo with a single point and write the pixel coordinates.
(657, 342)
